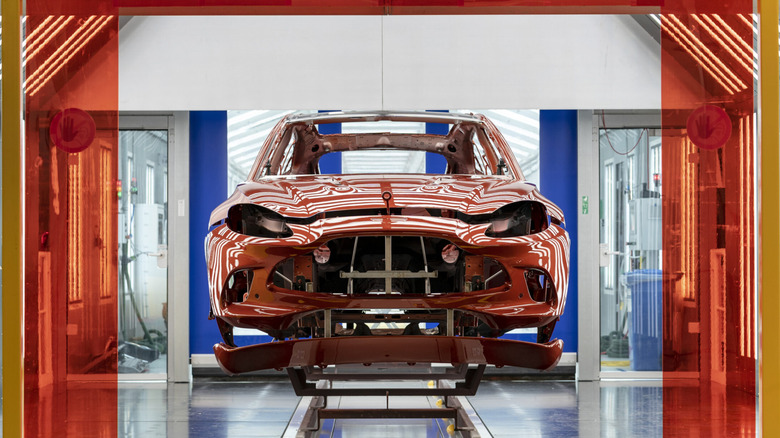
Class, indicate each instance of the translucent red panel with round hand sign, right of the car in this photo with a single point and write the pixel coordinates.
(709, 314)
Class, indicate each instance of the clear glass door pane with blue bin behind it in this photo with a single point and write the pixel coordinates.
(630, 241)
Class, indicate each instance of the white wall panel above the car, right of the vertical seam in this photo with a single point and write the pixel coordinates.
(521, 61)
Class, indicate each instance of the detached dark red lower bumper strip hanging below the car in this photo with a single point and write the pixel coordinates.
(373, 349)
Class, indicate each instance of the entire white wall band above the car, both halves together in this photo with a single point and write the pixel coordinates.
(544, 62)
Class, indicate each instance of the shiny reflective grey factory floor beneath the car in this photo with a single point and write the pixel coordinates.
(216, 408)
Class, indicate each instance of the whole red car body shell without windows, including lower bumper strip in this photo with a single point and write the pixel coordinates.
(345, 268)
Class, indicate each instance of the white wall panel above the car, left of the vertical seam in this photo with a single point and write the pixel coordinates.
(216, 63)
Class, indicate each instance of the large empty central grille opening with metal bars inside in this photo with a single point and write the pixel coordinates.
(416, 265)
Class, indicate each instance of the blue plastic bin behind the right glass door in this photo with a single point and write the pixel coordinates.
(645, 332)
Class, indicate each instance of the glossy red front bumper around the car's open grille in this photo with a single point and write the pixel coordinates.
(268, 307)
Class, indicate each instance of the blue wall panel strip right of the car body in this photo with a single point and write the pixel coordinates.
(558, 182)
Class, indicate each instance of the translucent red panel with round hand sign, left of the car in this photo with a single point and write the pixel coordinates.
(70, 320)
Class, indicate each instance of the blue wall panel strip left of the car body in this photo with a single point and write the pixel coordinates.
(208, 188)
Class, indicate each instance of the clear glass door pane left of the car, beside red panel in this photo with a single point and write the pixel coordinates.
(142, 191)
